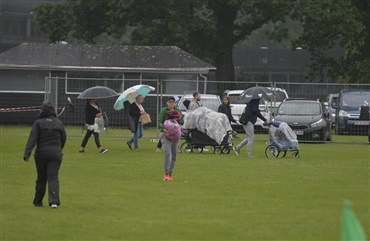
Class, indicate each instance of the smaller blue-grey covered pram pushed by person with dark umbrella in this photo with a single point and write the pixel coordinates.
(282, 140)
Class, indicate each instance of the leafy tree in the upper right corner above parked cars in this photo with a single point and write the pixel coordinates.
(336, 24)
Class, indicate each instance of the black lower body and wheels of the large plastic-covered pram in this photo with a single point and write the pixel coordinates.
(196, 141)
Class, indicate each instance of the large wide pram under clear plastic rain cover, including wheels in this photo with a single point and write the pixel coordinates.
(205, 127)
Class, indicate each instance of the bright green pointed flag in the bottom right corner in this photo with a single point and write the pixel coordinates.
(351, 227)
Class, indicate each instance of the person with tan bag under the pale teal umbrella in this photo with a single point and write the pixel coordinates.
(136, 109)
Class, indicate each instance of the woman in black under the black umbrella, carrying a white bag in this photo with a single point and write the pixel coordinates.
(92, 111)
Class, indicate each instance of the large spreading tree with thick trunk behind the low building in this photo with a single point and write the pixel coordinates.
(209, 29)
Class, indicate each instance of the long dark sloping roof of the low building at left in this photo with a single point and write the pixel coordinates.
(102, 58)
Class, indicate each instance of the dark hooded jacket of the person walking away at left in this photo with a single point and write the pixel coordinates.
(47, 132)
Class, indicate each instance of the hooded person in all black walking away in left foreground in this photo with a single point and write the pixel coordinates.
(49, 137)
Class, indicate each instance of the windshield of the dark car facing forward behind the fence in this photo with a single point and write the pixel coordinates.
(300, 108)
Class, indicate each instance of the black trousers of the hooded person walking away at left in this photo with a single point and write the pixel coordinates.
(47, 164)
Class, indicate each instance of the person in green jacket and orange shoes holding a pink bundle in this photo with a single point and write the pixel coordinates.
(169, 146)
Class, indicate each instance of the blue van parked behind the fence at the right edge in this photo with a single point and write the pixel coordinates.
(348, 119)
